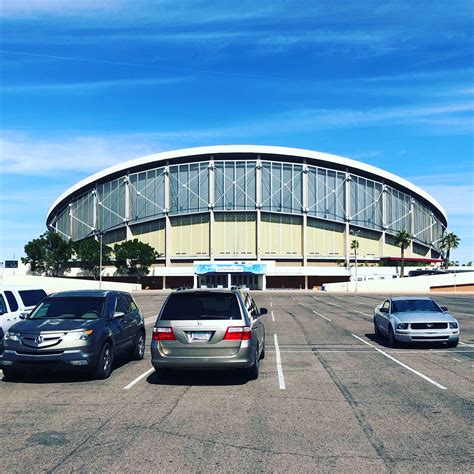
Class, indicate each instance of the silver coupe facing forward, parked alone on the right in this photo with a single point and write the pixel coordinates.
(414, 320)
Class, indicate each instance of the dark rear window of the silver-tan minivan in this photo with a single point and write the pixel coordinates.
(205, 305)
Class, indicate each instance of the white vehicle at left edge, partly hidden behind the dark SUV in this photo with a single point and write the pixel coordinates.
(15, 303)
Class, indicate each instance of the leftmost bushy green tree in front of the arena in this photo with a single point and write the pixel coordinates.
(49, 254)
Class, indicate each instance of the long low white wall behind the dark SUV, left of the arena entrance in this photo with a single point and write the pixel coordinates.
(51, 285)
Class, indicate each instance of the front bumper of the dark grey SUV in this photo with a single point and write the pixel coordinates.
(66, 360)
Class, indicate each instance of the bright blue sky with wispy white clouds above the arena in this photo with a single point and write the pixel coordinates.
(88, 84)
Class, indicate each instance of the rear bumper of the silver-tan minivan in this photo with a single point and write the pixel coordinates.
(244, 358)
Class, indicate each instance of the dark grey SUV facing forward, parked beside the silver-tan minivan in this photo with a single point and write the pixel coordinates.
(75, 329)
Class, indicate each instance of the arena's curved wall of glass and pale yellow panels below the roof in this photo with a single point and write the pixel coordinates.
(236, 190)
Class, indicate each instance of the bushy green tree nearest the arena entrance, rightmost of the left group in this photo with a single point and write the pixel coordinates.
(134, 258)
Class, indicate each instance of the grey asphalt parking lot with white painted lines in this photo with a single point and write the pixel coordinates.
(329, 398)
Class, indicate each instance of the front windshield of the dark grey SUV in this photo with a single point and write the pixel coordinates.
(69, 308)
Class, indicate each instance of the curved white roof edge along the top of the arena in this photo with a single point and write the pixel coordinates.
(263, 149)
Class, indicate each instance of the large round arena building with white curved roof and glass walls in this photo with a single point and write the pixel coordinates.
(260, 216)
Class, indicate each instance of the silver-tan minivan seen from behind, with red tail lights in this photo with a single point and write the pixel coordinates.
(209, 329)
